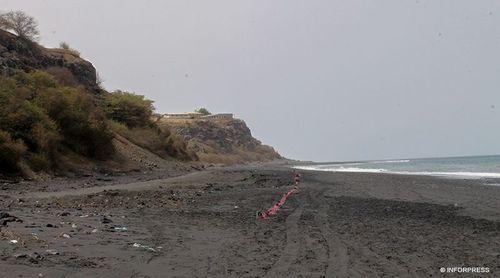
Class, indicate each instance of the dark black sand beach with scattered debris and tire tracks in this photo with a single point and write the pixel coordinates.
(203, 225)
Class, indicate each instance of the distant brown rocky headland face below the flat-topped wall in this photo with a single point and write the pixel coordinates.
(221, 141)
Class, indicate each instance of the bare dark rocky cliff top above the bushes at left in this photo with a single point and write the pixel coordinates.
(21, 54)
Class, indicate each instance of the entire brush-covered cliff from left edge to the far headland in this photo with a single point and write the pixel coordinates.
(55, 119)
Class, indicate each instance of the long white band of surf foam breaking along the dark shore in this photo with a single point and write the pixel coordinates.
(469, 175)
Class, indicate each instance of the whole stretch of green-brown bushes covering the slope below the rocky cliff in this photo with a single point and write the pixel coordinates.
(41, 120)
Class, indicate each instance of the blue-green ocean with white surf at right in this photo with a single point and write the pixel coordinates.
(470, 167)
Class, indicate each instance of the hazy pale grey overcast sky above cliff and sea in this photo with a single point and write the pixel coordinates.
(319, 80)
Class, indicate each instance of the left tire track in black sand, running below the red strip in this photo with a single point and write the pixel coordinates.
(291, 250)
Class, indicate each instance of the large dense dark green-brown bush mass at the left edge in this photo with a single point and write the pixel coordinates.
(39, 119)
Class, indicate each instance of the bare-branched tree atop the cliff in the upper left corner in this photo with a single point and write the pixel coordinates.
(22, 24)
